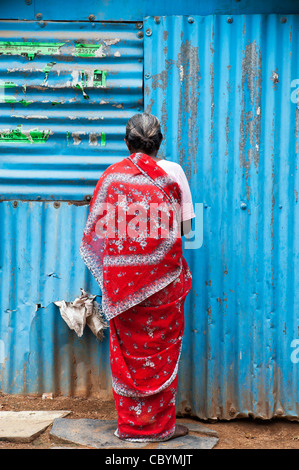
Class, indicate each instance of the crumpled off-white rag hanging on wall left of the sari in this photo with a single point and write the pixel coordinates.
(83, 310)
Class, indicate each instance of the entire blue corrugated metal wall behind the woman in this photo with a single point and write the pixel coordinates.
(222, 87)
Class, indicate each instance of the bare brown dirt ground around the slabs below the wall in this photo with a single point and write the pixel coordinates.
(236, 434)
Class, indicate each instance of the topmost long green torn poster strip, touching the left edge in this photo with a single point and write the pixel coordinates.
(29, 49)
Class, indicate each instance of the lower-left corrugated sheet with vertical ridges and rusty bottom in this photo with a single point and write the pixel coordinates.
(40, 263)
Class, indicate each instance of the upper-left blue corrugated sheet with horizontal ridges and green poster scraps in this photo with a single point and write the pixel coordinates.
(66, 93)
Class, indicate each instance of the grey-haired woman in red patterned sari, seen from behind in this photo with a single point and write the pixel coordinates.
(132, 245)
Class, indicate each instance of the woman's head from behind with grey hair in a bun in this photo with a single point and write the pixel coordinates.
(143, 134)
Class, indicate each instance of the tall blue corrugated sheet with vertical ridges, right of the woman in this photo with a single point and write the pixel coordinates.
(223, 89)
